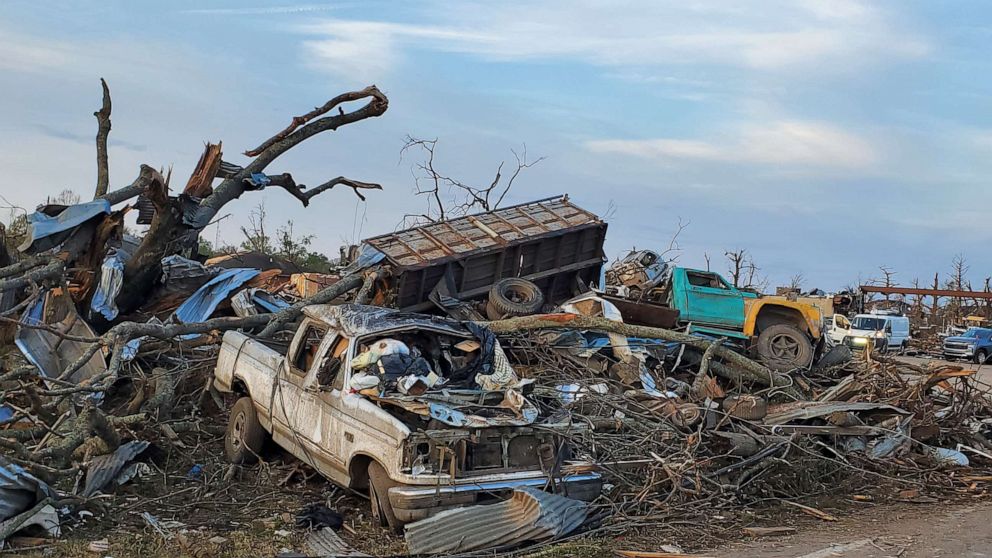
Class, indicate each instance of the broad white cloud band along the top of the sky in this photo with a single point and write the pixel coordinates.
(767, 36)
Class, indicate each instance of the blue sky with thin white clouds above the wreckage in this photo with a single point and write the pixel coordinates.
(827, 137)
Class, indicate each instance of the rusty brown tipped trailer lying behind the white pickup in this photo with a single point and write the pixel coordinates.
(551, 242)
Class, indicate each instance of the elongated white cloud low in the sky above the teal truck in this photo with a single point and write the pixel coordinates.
(783, 142)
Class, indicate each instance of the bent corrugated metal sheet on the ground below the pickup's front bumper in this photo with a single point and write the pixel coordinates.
(529, 515)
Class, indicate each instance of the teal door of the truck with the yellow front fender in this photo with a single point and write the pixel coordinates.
(709, 299)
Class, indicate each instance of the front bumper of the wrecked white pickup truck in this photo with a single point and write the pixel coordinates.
(411, 503)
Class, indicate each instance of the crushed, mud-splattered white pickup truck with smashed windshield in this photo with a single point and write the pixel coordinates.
(446, 447)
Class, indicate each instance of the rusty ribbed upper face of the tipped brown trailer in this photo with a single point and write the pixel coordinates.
(438, 242)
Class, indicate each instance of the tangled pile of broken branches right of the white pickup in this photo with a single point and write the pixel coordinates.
(684, 458)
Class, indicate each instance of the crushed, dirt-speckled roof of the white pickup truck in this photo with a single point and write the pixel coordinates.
(354, 320)
